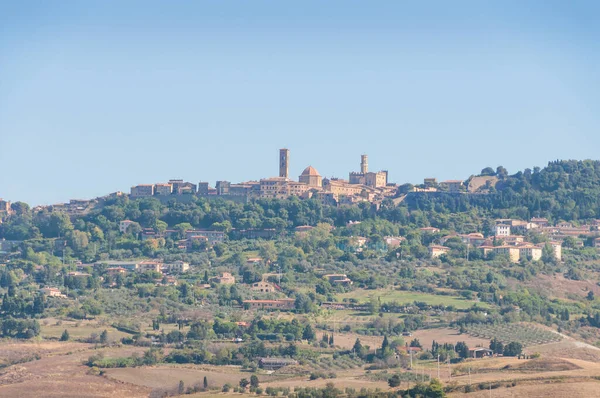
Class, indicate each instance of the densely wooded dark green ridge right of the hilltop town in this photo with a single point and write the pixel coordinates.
(564, 190)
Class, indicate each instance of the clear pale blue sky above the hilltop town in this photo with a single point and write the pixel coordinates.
(97, 96)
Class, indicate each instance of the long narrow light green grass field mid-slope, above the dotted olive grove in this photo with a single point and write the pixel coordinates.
(408, 297)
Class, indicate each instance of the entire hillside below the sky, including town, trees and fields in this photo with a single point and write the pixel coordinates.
(349, 287)
